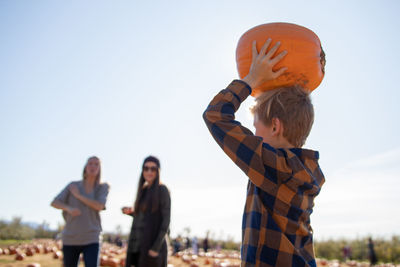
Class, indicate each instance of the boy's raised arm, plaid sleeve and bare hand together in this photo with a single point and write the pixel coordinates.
(238, 142)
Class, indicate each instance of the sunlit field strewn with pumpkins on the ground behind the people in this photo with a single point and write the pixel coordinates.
(47, 253)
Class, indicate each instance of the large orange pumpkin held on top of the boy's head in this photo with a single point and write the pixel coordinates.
(305, 59)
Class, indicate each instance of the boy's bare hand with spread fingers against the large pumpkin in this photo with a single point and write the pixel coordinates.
(262, 64)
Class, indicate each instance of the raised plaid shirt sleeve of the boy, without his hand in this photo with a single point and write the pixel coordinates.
(263, 164)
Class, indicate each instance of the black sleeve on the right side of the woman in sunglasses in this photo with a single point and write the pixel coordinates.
(165, 206)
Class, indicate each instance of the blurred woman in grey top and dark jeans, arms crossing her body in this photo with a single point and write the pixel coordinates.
(81, 203)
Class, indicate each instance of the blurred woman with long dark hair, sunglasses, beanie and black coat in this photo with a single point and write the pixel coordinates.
(151, 213)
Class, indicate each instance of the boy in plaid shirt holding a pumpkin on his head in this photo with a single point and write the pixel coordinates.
(283, 178)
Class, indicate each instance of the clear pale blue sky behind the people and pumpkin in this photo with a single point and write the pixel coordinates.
(122, 80)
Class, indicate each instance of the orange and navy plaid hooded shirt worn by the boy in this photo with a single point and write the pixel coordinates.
(282, 186)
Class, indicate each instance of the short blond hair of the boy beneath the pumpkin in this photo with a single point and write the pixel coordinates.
(292, 106)
